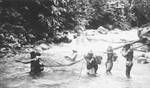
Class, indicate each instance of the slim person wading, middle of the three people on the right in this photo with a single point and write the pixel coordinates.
(111, 56)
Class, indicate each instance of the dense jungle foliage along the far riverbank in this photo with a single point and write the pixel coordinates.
(27, 21)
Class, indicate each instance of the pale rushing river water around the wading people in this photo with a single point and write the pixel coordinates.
(15, 75)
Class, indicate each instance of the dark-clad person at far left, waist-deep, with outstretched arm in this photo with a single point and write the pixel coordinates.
(35, 65)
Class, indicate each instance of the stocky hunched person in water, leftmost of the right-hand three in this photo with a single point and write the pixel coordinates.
(92, 66)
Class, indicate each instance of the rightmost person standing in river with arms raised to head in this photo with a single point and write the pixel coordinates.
(127, 52)
